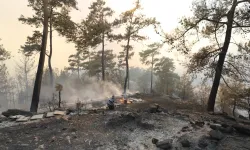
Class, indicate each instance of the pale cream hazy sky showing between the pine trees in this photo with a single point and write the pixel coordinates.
(13, 33)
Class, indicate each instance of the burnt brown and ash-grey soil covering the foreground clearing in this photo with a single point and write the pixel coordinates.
(127, 127)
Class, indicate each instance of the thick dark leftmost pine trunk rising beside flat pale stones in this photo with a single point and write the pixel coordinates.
(39, 74)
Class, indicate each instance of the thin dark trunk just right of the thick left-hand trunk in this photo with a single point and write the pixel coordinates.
(51, 50)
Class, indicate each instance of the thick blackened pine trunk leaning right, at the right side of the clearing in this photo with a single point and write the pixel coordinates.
(222, 56)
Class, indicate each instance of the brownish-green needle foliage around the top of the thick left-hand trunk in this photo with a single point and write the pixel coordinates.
(59, 16)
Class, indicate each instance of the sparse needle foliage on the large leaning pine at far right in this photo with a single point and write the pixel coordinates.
(208, 22)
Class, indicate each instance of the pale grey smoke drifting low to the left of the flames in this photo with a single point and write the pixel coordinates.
(89, 89)
